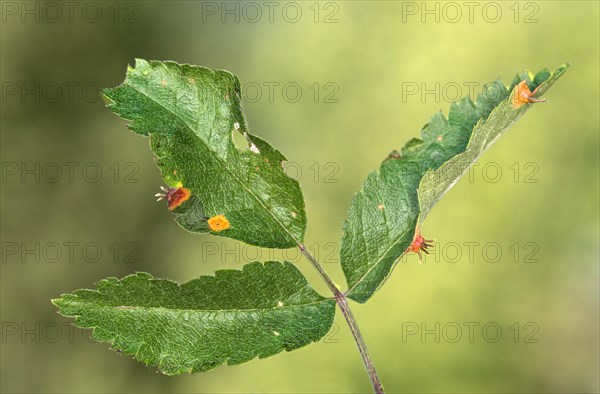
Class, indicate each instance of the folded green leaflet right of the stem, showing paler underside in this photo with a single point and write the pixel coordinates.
(395, 200)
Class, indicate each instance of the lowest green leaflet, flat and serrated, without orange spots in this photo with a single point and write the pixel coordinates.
(231, 317)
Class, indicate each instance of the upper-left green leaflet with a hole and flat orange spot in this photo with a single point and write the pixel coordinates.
(190, 114)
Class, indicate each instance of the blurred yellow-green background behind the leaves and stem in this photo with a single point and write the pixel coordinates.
(517, 239)
